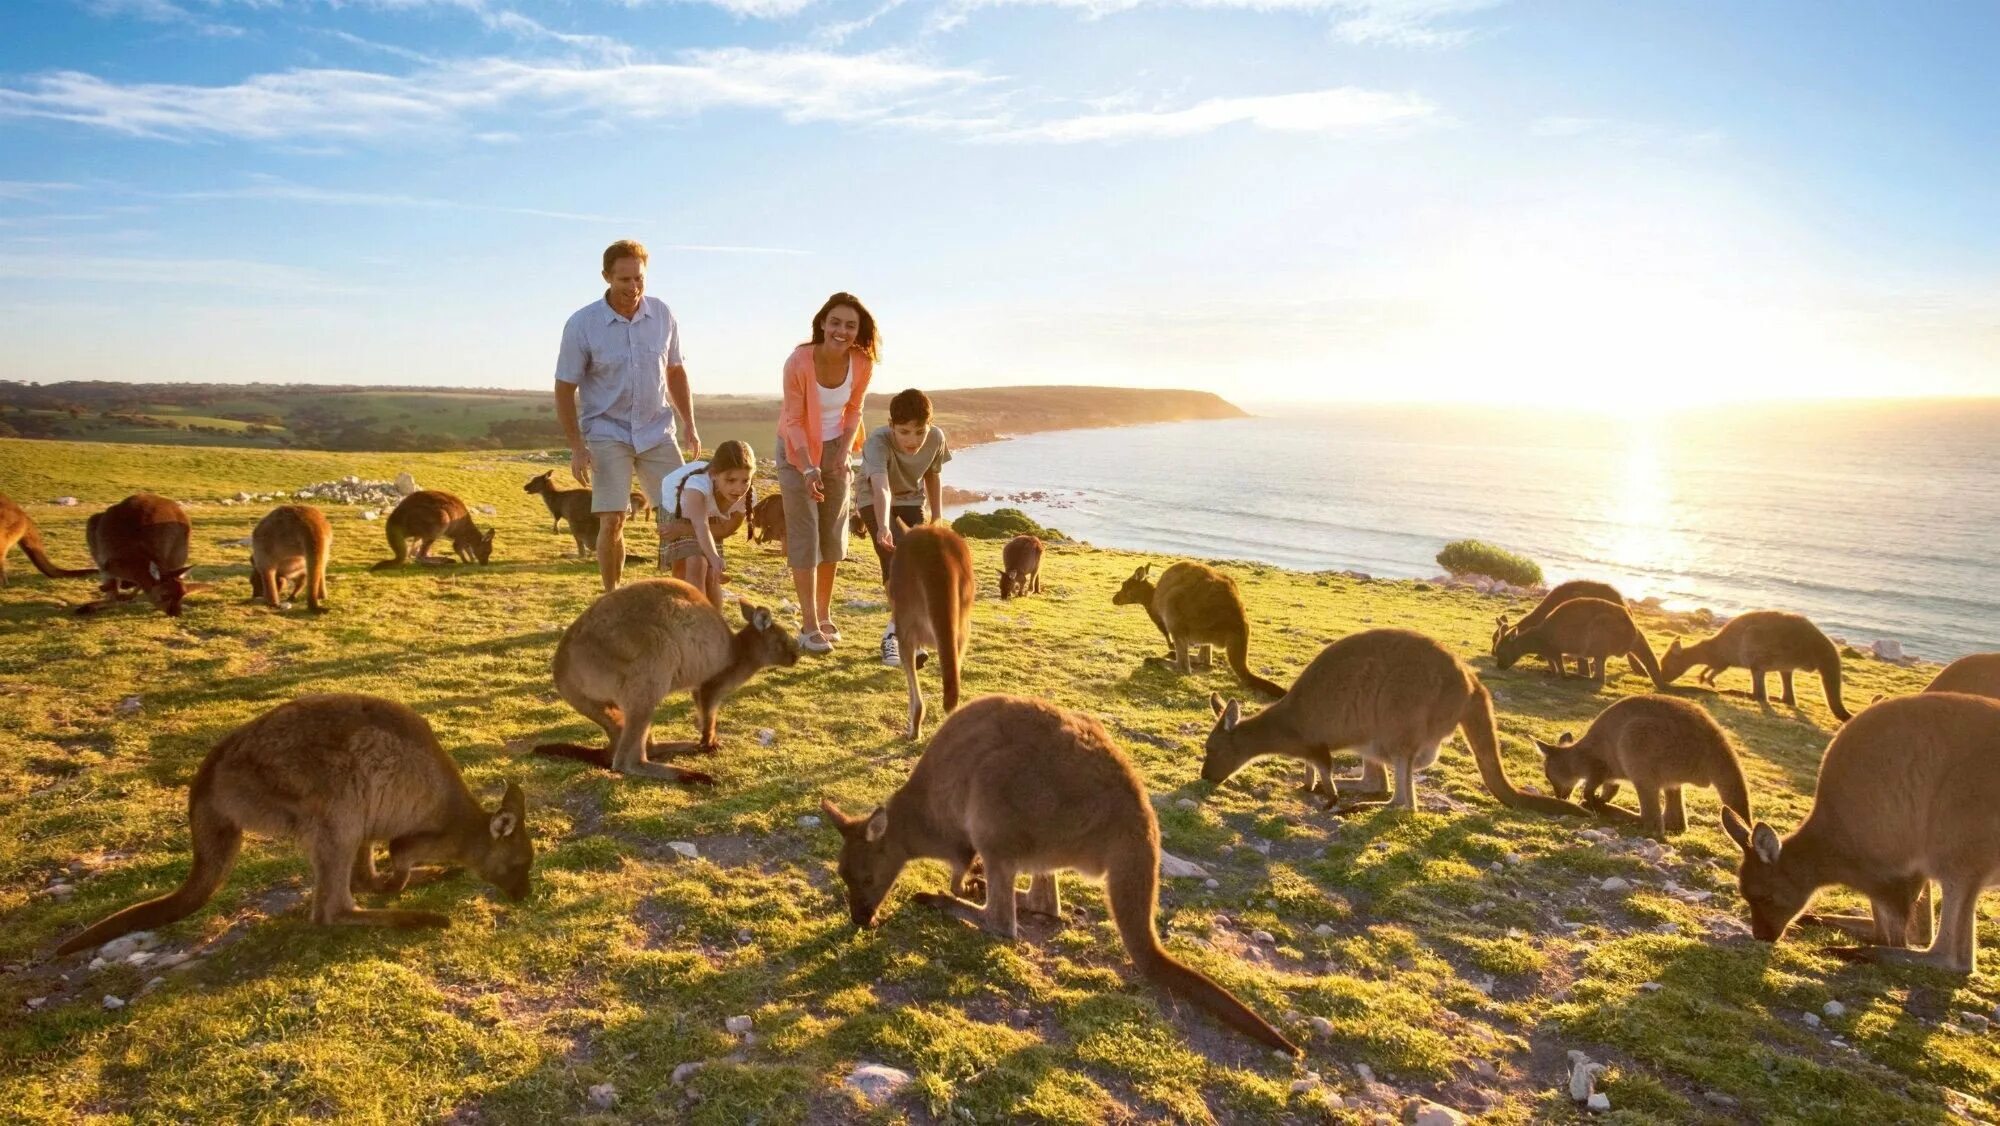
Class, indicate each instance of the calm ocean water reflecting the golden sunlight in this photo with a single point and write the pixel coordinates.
(1875, 521)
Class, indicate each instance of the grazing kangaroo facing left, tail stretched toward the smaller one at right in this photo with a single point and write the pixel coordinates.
(1391, 695)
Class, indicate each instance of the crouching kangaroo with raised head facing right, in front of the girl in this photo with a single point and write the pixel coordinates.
(643, 643)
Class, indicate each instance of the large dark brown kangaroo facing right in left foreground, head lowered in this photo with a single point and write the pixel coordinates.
(337, 775)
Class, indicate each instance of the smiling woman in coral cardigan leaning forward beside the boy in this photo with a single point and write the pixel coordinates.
(819, 431)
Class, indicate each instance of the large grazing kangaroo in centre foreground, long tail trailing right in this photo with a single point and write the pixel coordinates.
(1029, 789)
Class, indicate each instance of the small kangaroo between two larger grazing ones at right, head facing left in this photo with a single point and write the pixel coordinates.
(1659, 745)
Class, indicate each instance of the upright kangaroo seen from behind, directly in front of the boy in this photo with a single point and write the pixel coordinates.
(931, 601)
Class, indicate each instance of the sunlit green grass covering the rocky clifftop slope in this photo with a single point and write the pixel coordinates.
(1457, 953)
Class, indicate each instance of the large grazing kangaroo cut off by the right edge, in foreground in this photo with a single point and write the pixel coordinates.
(1907, 795)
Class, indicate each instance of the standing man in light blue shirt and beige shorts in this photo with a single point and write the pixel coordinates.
(619, 387)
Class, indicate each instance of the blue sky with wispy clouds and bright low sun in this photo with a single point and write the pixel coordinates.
(1623, 207)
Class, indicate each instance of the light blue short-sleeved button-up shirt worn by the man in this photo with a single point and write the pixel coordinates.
(619, 367)
